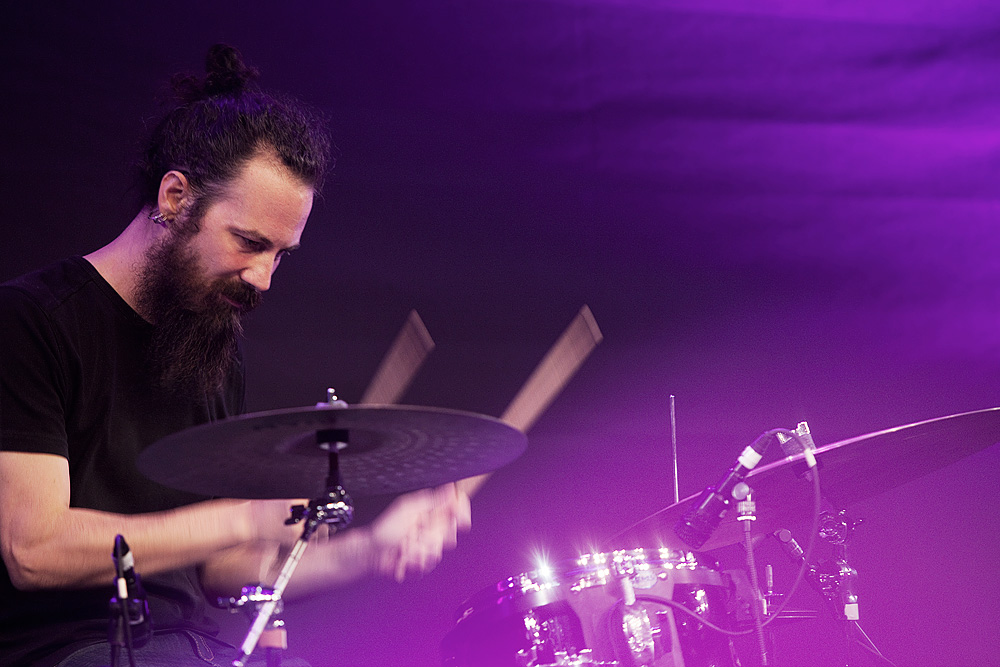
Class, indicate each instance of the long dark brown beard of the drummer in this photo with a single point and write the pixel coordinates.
(195, 341)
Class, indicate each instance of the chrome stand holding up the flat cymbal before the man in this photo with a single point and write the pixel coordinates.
(335, 509)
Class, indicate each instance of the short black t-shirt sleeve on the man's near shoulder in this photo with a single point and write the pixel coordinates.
(32, 378)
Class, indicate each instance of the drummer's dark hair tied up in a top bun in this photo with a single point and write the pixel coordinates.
(222, 120)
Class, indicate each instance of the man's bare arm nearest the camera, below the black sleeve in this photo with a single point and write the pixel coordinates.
(46, 544)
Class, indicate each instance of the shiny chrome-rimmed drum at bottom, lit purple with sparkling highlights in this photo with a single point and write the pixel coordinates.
(600, 609)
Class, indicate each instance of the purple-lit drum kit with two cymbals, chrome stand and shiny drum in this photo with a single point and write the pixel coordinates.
(631, 605)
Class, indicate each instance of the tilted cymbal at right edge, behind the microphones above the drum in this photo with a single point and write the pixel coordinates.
(850, 470)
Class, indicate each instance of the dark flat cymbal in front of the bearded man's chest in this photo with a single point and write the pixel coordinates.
(389, 449)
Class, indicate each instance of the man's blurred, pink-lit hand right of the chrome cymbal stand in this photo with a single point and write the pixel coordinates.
(413, 532)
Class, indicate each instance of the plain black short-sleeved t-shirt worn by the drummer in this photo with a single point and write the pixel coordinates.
(73, 383)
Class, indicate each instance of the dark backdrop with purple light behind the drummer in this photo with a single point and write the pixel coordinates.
(776, 210)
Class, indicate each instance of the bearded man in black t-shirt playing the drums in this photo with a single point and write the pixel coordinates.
(105, 354)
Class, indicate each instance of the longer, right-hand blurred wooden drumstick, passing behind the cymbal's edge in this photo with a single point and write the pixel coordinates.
(556, 368)
